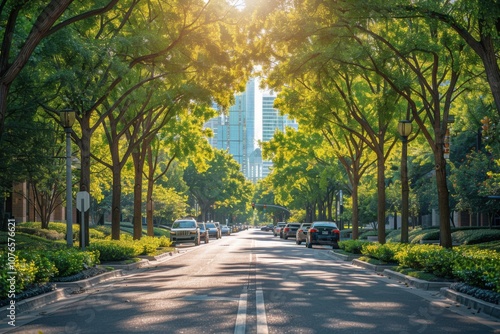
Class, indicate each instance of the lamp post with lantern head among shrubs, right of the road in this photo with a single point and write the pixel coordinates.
(404, 129)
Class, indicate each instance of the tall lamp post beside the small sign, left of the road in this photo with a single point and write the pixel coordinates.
(67, 120)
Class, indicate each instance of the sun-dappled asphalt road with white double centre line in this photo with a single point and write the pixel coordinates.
(252, 282)
